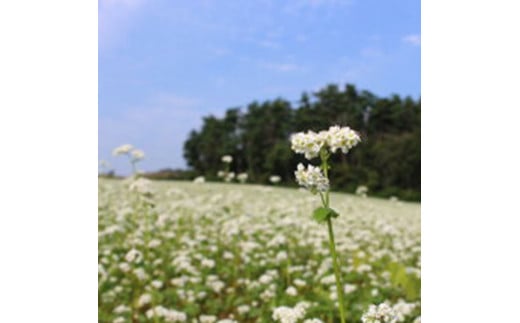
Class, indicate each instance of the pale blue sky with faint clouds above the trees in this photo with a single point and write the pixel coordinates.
(164, 64)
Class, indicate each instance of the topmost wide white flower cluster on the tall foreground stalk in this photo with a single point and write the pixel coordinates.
(311, 143)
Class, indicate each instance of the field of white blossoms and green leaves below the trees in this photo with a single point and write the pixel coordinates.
(209, 252)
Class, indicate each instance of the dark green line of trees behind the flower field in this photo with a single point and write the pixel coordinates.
(388, 161)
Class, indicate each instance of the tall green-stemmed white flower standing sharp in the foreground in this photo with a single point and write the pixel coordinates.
(316, 180)
